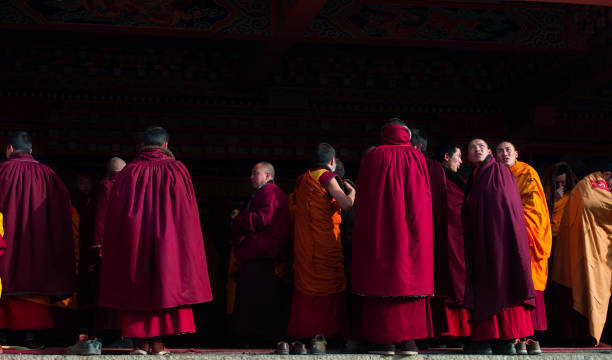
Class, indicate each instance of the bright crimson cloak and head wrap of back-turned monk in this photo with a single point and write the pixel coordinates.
(392, 236)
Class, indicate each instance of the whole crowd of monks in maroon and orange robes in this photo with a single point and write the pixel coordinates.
(411, 250)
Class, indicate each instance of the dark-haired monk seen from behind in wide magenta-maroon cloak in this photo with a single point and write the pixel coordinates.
(153, 259)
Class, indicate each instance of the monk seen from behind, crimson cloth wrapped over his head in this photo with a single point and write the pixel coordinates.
(393, 244)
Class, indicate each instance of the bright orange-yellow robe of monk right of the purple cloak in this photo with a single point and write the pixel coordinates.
(538, 221)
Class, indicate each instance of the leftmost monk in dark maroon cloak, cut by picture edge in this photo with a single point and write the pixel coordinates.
(38, 266)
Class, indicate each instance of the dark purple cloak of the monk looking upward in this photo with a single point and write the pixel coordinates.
(498, 262)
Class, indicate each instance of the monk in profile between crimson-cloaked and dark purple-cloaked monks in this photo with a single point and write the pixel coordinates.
(455, 315)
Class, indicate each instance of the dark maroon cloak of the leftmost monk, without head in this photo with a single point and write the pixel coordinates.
(39, 259)
